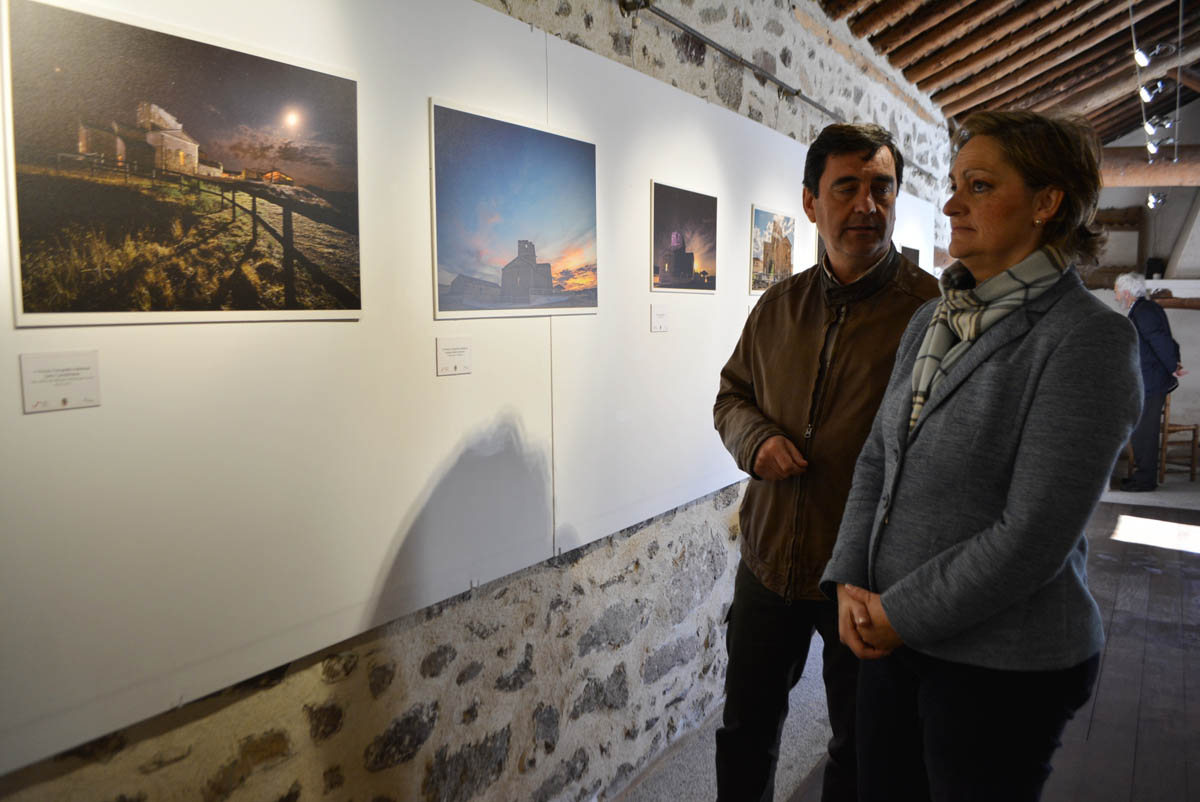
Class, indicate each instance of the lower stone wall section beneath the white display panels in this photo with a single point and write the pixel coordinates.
(560, 683)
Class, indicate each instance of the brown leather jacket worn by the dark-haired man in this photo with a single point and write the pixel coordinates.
(778, 384)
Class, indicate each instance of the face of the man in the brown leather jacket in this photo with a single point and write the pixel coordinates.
(855, 210)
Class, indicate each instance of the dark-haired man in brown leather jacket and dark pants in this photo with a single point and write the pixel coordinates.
(796, 403)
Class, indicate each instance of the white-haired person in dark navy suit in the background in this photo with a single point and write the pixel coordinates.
(1160, 358)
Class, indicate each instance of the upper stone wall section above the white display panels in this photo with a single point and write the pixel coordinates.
(795, 41)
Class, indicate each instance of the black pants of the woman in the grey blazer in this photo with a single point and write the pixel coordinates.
(929, 729)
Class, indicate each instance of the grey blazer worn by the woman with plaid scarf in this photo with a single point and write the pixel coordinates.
(971, 526)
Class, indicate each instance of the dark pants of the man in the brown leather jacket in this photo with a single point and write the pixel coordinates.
(769, 642)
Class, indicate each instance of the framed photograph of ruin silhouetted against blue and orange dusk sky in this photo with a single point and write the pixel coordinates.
(515, 219)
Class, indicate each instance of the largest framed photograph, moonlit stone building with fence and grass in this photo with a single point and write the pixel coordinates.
(154, 178)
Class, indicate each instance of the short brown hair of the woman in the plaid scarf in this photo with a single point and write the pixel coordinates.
(1059, 152)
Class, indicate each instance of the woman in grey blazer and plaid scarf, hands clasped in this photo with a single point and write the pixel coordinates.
(961, 566)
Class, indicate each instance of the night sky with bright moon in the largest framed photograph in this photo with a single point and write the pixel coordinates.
(243, 110)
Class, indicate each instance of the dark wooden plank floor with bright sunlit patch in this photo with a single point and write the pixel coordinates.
(1138, 740)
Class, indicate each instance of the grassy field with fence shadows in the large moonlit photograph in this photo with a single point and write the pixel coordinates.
(117, 244)
